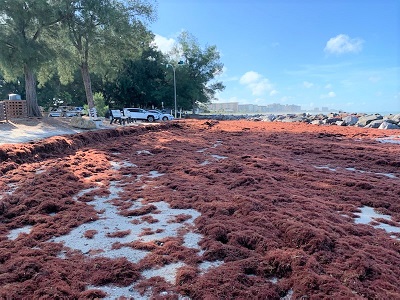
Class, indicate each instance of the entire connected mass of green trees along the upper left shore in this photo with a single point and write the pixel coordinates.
(62, 41)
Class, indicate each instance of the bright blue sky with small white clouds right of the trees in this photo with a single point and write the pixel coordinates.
(341, 54)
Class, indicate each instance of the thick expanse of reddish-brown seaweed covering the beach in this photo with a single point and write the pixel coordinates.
(277, 205)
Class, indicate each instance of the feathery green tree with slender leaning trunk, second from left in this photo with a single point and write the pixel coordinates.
(100, 35)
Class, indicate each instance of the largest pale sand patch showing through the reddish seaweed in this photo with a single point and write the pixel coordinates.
(111, 221)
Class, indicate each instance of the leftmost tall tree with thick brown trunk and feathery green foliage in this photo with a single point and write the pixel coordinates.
(23, 48)
